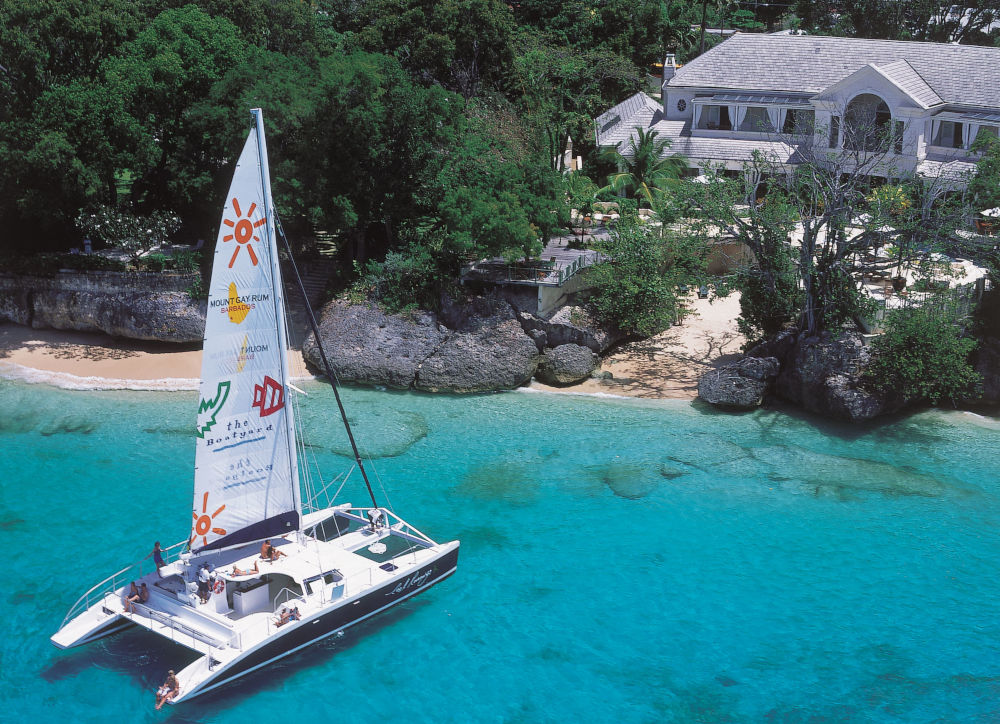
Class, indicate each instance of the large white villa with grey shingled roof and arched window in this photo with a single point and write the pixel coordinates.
(783, 93)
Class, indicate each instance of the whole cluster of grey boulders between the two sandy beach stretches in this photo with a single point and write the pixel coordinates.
(479, 344)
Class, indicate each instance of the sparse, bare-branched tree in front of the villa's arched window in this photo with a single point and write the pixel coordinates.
(840, 223)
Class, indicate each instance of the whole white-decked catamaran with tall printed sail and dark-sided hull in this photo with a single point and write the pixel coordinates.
(263, 574)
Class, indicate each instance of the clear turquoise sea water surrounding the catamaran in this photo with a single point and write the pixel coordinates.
(621, 561)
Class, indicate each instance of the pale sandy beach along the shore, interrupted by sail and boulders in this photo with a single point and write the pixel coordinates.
(665, 366)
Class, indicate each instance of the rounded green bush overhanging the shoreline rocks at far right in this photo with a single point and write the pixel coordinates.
(922, 355)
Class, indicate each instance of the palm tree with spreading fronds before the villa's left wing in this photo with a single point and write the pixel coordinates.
(645, 169)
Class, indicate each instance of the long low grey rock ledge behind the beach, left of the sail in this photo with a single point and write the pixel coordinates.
(134, 305)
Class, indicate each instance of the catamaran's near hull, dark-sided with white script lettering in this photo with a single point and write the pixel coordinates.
(329, 621)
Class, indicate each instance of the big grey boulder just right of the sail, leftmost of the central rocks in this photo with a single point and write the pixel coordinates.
(365, 345)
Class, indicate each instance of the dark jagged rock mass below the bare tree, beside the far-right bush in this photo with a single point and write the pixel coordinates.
(821, 374)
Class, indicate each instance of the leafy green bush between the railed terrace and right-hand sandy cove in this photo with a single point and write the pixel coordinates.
(636, 288)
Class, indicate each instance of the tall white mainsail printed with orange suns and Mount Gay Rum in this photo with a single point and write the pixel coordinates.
(246, 484)
